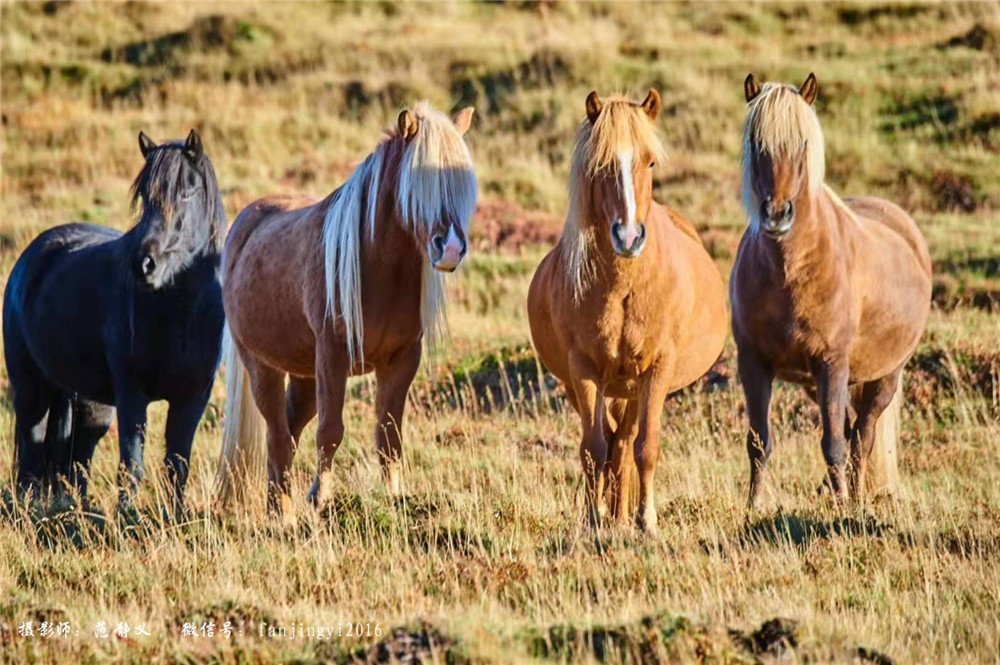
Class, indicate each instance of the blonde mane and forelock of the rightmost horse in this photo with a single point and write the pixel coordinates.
(780, 123)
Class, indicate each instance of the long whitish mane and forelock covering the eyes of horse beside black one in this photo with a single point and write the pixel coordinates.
(435, 179)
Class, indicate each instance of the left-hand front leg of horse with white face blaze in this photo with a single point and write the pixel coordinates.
(589, 394)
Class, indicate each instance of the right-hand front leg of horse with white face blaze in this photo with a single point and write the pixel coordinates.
(647, 446)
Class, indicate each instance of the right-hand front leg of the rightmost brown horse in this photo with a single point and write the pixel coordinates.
(831, 389)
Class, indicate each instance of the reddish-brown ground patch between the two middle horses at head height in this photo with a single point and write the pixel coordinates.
(505, 225)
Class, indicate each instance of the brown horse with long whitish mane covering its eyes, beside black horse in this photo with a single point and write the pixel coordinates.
(320, 291)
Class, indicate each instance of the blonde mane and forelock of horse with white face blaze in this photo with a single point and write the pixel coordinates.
(622, 126)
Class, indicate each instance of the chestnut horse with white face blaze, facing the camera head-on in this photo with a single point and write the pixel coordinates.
(627, 308)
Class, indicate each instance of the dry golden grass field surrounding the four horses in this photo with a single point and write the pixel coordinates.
(487, 558)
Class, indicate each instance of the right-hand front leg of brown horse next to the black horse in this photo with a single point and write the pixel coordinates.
(394, 379)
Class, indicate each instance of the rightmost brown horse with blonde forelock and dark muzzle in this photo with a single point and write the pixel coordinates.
(826, 293)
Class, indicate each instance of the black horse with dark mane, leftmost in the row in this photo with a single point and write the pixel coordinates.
(95, 319)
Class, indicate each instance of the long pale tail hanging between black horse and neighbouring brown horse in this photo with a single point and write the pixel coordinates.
(242, 462)
